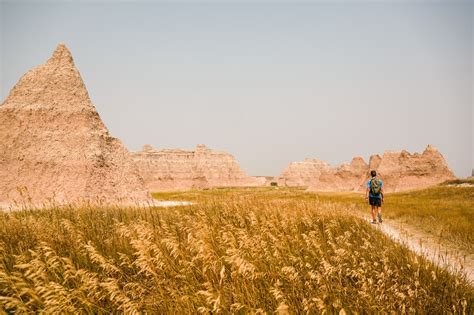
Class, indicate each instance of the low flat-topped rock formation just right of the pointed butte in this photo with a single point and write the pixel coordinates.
(174, 169)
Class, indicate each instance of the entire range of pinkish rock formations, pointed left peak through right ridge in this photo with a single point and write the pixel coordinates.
(55, 147)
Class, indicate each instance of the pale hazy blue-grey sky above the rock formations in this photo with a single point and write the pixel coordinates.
(269, 82)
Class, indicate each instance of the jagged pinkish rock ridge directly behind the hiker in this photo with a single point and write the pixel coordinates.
(399, 170)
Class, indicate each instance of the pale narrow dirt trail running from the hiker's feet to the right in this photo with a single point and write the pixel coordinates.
(437, 251)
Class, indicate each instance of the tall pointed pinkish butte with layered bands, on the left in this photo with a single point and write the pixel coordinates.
(53, 144)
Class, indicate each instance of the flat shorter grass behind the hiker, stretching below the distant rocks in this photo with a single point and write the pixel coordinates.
(443, 211)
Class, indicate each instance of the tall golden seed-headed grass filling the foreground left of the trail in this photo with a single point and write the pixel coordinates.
(245, 251)
